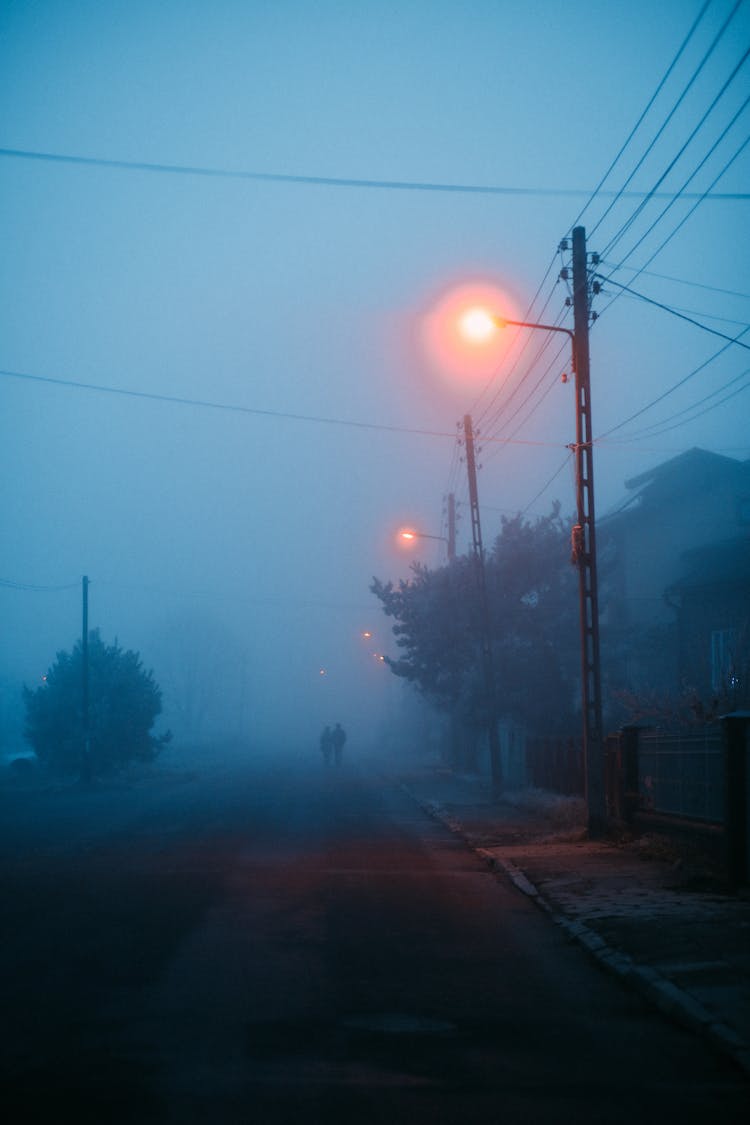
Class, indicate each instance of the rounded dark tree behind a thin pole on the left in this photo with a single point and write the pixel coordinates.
(124, 703)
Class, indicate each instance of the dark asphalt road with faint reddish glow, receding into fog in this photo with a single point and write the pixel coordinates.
(278, 943)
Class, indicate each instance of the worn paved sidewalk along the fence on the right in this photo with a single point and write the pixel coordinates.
(659, 920)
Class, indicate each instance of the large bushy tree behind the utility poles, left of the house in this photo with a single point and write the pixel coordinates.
(534, 607)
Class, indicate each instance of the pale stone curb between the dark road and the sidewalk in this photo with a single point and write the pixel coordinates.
(658, 991)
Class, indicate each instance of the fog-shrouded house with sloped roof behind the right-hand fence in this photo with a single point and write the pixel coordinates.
(674, 577)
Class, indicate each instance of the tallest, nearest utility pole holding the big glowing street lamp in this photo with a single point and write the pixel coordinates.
(584, 545)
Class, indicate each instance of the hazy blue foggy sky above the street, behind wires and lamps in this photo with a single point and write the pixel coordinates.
(220, 400)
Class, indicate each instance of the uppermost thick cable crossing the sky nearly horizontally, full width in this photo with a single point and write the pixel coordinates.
(327, 182)
